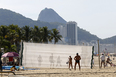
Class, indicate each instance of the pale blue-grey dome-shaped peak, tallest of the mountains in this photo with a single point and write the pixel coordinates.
(49, 15)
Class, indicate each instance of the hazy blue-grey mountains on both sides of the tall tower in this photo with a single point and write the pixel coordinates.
(8, 17)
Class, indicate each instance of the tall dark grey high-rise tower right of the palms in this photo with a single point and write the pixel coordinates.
(72, 33)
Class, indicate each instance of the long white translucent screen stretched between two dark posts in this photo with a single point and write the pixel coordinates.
(54, 56)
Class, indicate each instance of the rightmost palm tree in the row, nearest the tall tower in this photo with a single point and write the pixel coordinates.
(55, 36)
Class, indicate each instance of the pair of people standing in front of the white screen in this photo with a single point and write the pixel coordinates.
(77, 59)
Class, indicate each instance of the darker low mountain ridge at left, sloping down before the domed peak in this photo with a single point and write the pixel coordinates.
(8, 17)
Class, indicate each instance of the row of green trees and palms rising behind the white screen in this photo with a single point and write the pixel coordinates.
(11, 36)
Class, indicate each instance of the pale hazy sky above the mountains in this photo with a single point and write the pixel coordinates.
(96, 16)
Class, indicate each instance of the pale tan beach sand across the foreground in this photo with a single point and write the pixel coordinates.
(85, 72)
